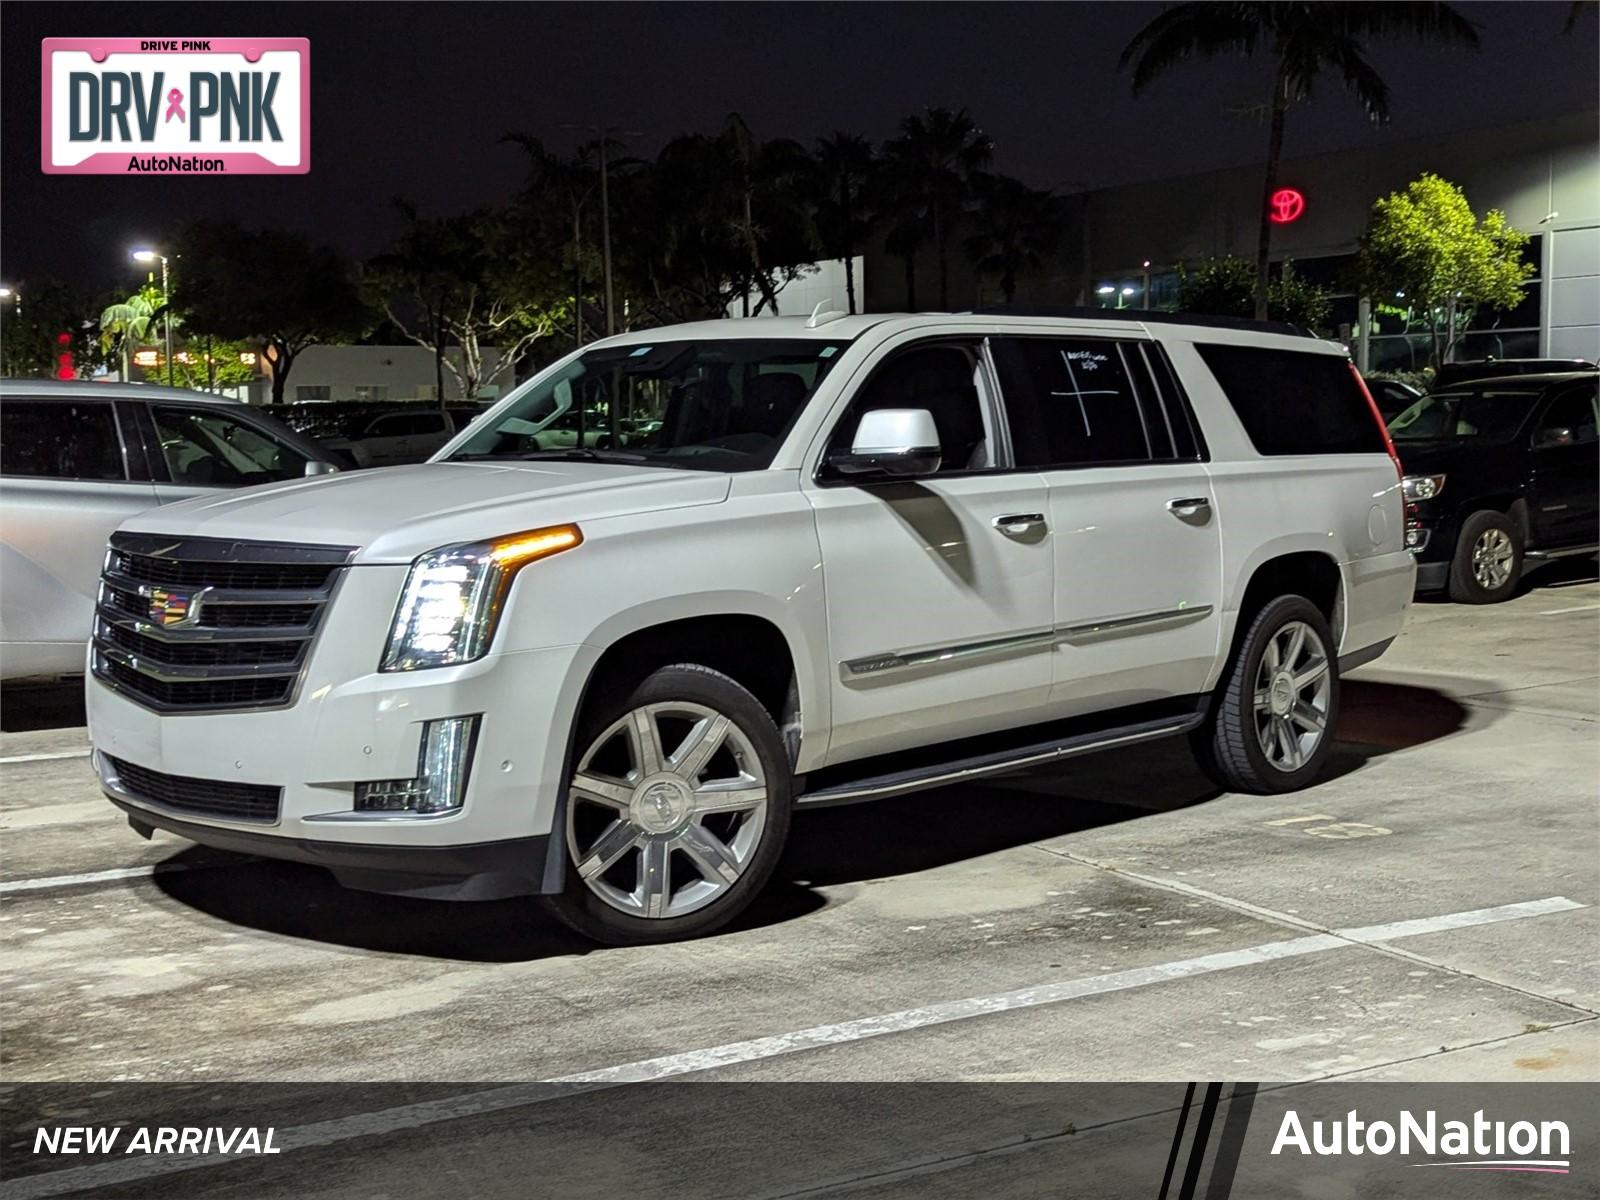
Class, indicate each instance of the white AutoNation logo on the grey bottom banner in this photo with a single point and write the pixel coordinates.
(1478, 1145)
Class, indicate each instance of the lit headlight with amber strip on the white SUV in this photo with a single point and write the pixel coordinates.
(454, 598)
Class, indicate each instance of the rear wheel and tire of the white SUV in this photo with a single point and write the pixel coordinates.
(1281, 743)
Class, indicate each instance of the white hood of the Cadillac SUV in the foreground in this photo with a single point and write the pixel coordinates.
(394, 514)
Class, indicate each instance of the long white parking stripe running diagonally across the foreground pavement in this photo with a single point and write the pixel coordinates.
(668, 1066)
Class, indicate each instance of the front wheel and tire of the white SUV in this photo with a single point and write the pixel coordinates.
(660, 852)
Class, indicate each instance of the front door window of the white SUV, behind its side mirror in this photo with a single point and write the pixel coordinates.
(938, 378)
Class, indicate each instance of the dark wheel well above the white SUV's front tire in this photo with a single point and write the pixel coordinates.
(746, 649)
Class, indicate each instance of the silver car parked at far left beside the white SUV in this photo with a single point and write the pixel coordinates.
(78, 460)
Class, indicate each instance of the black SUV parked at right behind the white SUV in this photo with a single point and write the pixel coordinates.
(1500, 471)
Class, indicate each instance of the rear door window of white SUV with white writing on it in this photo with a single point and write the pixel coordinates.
(1074, 402)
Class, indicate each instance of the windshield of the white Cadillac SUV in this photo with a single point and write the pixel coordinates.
(708, 406)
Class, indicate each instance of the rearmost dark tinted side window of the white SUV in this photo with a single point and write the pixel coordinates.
(1295, 404)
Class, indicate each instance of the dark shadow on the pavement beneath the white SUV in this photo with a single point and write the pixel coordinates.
(828, 846)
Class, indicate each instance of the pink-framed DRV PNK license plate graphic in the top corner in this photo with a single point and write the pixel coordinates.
(177, 106)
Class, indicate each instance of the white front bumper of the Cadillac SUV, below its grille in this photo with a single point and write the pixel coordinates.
(351, 724)
